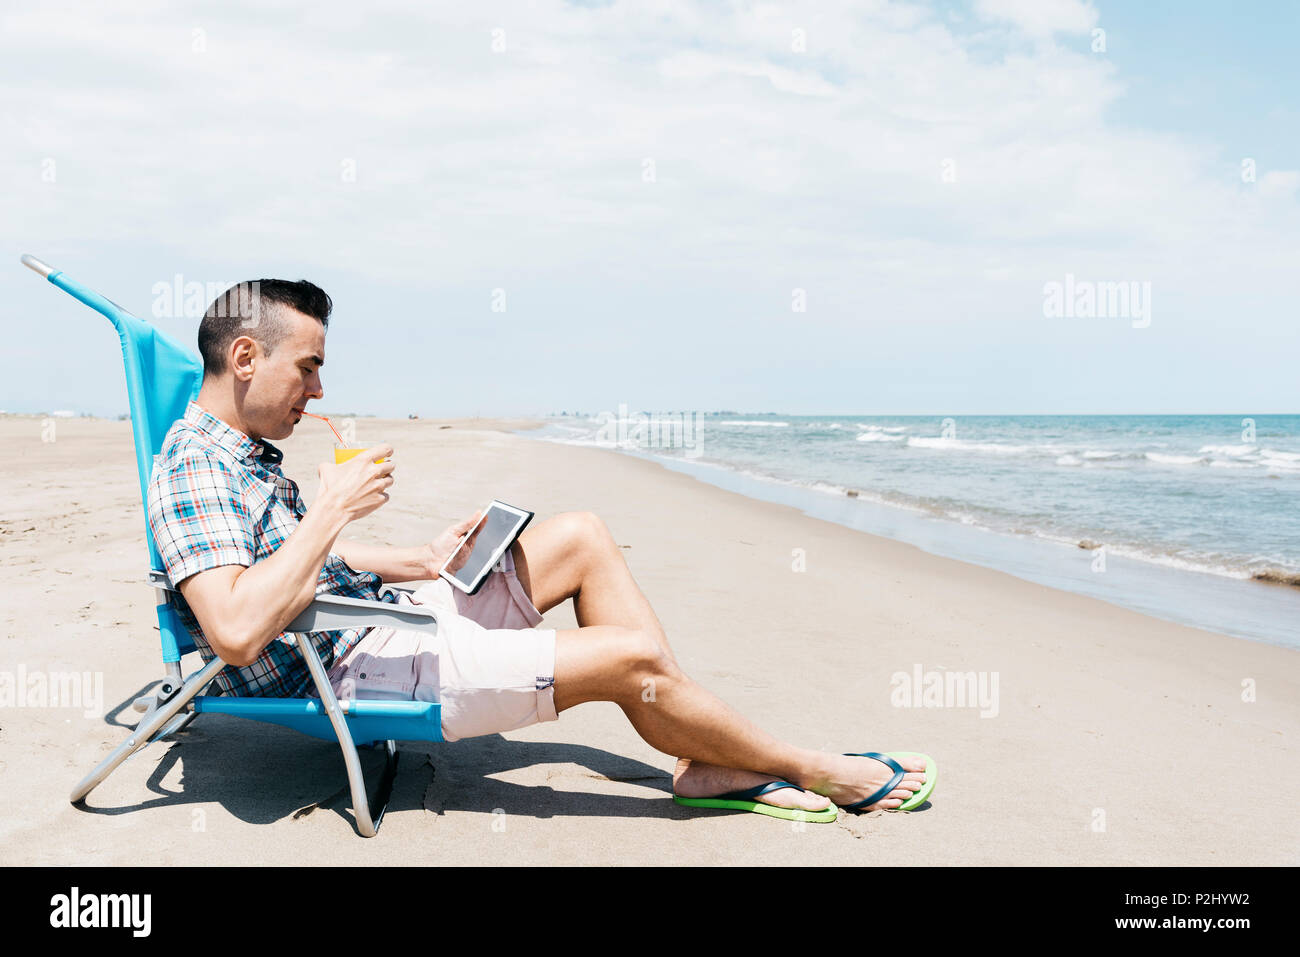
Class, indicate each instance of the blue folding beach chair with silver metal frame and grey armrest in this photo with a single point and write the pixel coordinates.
(162, 378)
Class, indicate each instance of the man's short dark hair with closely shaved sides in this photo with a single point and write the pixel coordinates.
(254, 309)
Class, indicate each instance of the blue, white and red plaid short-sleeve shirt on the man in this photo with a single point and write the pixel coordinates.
(218, 497)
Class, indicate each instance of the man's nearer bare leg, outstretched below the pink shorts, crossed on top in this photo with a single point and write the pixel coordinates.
(677, 716)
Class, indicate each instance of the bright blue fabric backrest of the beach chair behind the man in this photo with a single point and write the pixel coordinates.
(162, 379)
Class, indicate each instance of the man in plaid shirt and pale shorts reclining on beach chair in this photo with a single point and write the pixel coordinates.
(249, 556)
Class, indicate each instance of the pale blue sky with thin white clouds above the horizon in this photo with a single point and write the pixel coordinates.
(811, 207)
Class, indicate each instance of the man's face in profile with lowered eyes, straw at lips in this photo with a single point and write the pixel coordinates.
(284, 382)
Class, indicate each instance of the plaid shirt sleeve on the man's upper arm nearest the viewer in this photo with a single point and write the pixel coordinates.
(198, 518)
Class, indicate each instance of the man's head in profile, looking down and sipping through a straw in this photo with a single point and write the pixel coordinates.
(263, 345)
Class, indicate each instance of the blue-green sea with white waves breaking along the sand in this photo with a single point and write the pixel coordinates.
(1190, 518)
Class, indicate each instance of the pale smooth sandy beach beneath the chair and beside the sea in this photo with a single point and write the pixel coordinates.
(1097, 737)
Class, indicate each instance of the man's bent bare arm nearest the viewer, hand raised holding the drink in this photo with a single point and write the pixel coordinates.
(244, 609)
